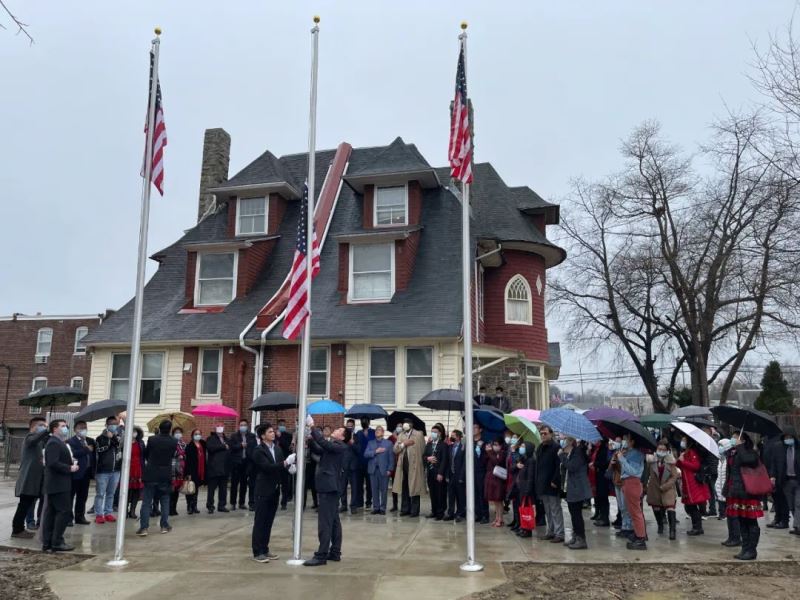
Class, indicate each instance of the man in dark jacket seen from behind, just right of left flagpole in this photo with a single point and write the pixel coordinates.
(160, 451)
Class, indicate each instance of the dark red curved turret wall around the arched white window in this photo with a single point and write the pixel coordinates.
(531, 339)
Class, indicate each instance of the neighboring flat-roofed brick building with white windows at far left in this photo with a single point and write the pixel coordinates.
(40, 351)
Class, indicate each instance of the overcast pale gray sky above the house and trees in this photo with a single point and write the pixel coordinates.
(555, 86)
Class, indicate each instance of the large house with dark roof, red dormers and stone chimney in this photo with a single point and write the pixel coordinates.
(386, 324)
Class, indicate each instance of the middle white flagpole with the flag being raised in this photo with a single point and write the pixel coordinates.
(305, 351)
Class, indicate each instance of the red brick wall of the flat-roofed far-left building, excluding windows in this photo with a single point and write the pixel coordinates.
(17, 350)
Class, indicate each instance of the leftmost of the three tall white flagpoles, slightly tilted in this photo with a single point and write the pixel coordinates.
(133, 378)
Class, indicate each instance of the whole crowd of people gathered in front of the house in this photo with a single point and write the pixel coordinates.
(390, 471)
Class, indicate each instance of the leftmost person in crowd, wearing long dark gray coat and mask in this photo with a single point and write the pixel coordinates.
(31, 475)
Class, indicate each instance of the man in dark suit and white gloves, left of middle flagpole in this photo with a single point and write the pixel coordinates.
(269, 465)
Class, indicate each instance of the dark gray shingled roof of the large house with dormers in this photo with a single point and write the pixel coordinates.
(429, 307)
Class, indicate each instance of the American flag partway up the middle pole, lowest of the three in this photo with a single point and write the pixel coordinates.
(297, 310)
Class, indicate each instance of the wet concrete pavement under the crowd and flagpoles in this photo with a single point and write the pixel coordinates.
(383, 557)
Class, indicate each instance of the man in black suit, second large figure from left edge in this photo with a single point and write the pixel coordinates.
(58, 469)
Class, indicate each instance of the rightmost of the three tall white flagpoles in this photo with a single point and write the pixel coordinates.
(466, 270)
